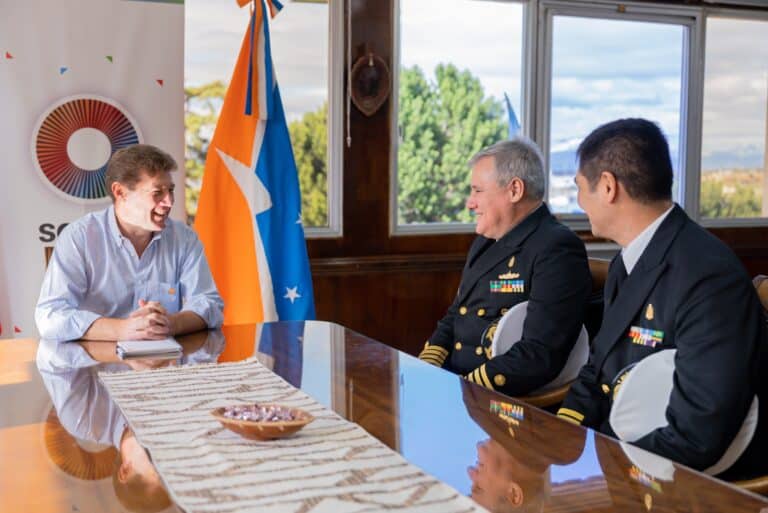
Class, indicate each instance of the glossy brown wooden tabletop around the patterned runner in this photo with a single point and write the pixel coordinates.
(505, 454)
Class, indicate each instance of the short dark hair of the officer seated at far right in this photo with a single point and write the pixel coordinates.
(636, 152)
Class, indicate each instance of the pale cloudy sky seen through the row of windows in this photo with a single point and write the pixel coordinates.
(601, 69)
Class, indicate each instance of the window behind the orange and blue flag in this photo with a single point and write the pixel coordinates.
(309, 75)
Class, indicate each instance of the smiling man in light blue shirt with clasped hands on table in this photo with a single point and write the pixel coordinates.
(129, 271)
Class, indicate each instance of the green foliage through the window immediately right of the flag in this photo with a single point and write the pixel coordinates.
(309, 137)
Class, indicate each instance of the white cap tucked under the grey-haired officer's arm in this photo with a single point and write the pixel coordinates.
(510, 330)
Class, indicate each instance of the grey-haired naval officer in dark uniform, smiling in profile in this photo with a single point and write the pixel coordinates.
(521, 254)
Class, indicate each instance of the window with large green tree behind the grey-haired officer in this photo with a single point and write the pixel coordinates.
(459, 89)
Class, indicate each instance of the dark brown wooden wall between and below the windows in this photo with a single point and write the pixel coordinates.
(394, 289)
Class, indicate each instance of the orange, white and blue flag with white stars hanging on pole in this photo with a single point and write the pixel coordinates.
(249, 210)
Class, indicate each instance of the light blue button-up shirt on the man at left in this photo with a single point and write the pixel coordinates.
(95, 272)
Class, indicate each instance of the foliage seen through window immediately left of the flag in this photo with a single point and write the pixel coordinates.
(201, 111)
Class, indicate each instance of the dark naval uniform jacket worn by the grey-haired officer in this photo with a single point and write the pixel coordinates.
(540, 261)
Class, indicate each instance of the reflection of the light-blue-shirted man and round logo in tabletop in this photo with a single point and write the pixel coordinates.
(86, 434)
